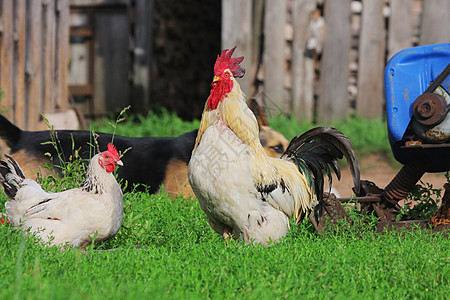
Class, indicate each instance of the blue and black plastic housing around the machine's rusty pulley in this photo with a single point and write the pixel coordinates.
(407, 75)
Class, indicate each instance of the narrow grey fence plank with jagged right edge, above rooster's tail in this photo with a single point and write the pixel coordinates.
(301, 94)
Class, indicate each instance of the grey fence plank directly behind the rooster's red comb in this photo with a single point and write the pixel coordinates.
(237, 31)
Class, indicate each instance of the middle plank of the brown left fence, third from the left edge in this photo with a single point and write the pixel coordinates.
(33, 63)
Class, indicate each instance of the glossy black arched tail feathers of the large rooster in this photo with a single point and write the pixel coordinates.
(317, 151)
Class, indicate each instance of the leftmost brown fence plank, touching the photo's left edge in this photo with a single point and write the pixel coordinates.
(6, 59)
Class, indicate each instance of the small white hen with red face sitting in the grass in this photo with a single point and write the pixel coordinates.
(74, 216)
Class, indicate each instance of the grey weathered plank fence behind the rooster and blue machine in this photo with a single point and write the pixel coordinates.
(324, 59)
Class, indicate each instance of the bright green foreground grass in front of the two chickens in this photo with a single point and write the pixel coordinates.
(166, 249)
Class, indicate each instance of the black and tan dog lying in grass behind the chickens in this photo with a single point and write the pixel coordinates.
(150, 161)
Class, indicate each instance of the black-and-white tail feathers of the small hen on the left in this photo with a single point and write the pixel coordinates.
(11, 175)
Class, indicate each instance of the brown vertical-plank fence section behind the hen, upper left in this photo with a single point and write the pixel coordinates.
(34, 39)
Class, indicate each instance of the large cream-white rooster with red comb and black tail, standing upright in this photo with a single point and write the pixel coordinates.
(243, 191)
